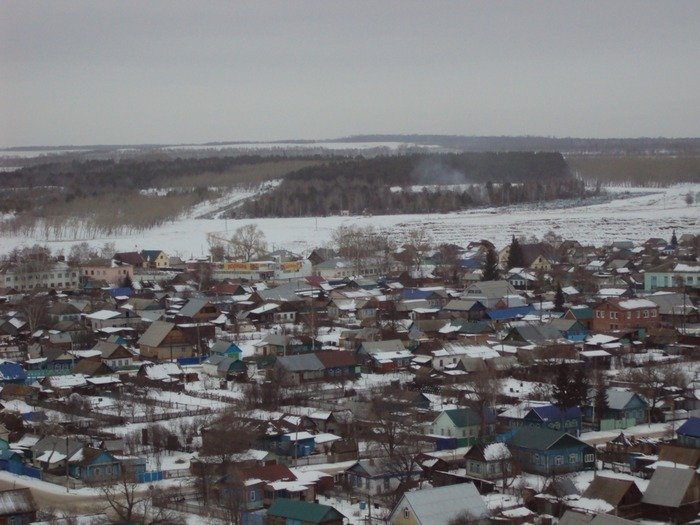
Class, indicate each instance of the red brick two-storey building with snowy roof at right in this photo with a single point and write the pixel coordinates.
(625, 315)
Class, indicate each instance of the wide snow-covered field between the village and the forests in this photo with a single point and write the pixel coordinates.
(647, 213)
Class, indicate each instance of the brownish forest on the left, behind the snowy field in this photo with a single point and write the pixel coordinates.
(75, 200)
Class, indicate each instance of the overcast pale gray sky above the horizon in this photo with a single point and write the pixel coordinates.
(87, 72)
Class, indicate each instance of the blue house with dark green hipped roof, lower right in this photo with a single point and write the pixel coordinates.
(545, 451)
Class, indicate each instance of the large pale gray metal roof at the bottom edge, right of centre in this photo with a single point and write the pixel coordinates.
(438, 506)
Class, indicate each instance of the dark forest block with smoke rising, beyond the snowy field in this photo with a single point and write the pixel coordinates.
(386, 185)
